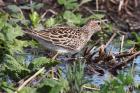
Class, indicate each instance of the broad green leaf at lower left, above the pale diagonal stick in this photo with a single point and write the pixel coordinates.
(13, 68)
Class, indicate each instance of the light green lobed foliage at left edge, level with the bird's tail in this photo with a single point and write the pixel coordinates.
(8, 35)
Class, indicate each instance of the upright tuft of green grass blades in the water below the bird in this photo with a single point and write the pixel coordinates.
(75, 76)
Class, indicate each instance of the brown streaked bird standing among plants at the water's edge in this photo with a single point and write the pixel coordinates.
(65, 39)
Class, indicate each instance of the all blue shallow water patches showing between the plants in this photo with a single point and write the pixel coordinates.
(95, 78)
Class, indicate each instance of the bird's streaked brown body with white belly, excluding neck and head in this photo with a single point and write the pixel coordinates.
(63, 39)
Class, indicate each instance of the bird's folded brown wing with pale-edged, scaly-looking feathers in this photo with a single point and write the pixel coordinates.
(61, 36)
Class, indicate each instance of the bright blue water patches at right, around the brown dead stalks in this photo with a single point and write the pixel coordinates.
(99, 80)
